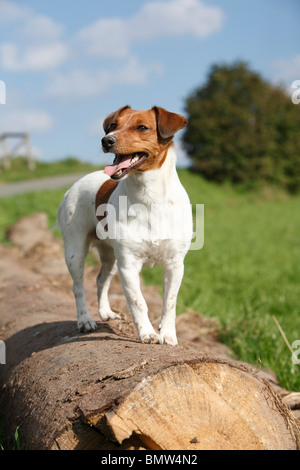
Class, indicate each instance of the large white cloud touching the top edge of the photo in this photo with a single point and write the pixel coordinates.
(112, 37)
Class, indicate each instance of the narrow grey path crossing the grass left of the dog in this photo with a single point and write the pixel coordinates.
(53, 182)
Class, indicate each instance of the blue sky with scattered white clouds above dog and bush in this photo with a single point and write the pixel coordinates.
(69, 63)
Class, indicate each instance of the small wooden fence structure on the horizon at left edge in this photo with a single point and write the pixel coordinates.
(23, 140)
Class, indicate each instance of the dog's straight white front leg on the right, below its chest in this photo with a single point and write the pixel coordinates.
(173, 274)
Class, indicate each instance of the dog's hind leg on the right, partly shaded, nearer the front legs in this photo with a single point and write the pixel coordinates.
(108, 270)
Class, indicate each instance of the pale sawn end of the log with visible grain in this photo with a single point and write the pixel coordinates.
(193, 406)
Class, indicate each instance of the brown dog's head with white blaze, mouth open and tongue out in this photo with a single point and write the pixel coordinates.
(139, 139)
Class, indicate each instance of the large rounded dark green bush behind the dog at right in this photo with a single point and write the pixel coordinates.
(243, 129)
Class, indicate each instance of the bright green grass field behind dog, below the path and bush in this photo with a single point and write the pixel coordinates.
(247, 272)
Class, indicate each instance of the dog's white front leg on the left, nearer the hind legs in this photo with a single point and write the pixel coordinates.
(129, 273)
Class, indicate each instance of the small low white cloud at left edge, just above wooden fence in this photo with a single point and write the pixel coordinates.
(25, 120)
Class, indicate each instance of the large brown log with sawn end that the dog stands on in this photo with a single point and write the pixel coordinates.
(106, 390)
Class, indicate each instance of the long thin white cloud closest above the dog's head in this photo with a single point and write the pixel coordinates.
(83, 83)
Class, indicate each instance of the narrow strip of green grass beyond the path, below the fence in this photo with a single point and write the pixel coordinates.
(20, 172)
